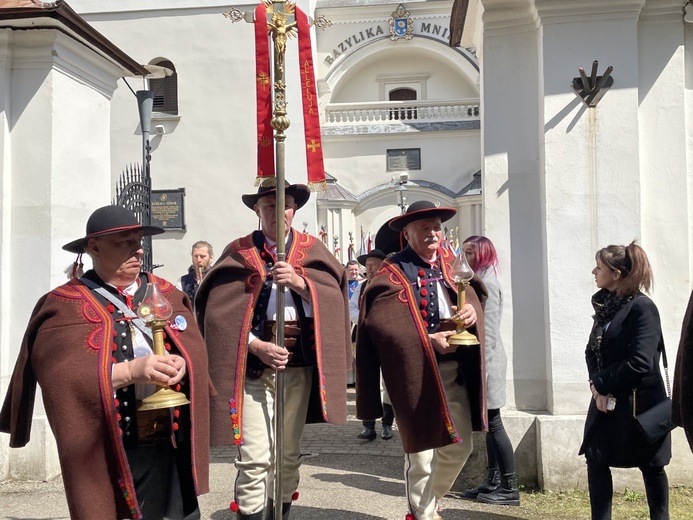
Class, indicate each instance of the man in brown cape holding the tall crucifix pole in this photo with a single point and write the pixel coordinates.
(237, 310)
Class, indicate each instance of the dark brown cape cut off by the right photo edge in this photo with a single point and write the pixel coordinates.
(682, 394)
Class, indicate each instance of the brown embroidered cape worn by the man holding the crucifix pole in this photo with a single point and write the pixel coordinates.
(225, 304)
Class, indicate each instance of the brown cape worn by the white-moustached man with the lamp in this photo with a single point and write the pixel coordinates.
(393, 338)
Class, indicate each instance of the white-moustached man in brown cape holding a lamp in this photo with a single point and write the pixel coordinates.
(436, 389)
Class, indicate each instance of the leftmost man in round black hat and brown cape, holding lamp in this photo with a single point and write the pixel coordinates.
(93, 359)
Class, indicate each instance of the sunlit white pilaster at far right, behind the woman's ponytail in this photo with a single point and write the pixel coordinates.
(664, 173)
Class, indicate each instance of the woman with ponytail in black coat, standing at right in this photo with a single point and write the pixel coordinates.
(623, 362)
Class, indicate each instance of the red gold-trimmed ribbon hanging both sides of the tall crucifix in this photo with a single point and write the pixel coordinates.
(311, 115)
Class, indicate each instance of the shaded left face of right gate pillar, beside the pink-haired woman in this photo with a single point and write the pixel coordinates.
(512, 187)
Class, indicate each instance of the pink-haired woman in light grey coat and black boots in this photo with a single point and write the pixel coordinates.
(500, 486)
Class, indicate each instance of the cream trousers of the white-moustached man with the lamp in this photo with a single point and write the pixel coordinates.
(429, 474)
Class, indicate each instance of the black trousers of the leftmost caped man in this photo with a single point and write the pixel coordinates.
(163, 480)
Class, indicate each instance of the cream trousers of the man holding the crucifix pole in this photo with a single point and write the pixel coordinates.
(254, 483)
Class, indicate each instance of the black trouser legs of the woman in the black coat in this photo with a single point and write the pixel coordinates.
(602, 489)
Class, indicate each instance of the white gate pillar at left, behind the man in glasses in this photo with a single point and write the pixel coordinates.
(55, 160)
